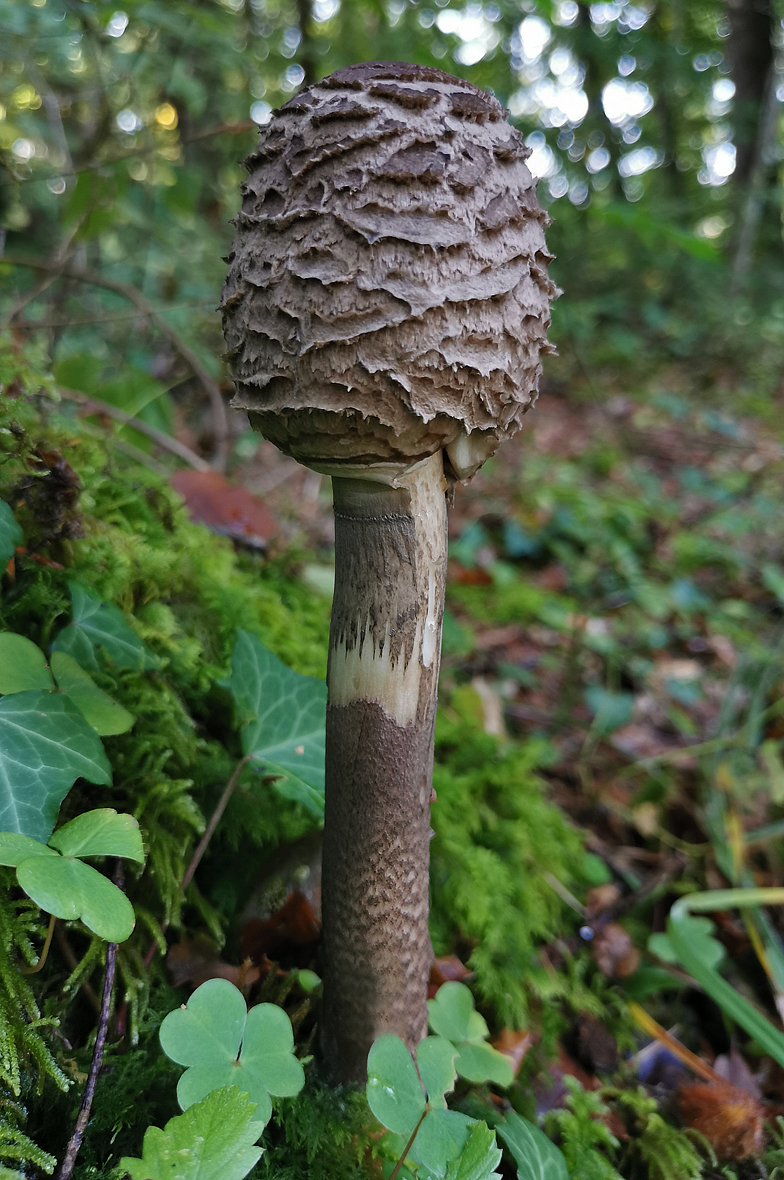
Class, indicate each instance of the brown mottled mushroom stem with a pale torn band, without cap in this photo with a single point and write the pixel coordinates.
(383, 680)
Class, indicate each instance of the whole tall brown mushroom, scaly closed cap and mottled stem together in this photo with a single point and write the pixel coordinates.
(386, 313)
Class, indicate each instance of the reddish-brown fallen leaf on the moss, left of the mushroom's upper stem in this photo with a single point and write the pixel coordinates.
(225, 508)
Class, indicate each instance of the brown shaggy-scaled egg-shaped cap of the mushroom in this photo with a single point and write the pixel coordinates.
(388, 293)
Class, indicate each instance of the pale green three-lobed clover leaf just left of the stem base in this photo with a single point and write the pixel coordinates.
(225, 1045)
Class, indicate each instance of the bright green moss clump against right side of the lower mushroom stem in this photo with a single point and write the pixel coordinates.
(496, 836)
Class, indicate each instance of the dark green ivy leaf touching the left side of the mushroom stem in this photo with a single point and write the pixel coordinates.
(284, 719)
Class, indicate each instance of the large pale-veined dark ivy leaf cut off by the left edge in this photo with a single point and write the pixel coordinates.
(45, 746)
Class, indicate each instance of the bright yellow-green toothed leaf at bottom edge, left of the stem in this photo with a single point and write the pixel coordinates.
(213, 1140)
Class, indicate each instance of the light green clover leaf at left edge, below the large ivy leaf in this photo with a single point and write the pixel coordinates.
(56, 879)
